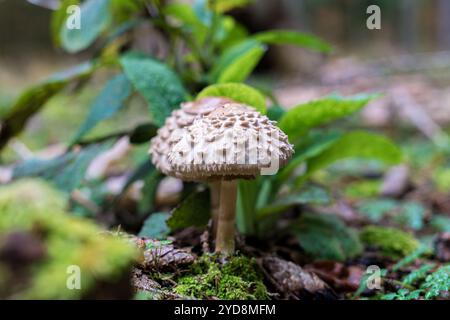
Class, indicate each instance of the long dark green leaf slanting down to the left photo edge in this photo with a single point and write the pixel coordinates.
(34, 98)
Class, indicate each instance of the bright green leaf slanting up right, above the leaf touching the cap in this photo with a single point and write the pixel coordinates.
(241, 68)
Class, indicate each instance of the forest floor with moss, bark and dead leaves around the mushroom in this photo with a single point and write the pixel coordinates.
(400, 218)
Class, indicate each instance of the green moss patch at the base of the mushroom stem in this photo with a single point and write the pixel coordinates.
(237, 279)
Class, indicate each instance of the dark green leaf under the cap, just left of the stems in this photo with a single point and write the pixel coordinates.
(193, 211)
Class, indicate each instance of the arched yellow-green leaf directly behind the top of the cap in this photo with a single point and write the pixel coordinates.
(238, 92)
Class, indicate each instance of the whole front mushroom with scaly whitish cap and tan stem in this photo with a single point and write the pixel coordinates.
(230, 143)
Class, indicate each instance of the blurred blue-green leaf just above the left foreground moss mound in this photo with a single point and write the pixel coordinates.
(66, 171)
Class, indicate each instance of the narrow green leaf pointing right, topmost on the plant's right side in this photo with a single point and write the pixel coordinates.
(299, 39)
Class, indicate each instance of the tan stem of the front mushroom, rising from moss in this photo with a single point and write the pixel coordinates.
(227, 213)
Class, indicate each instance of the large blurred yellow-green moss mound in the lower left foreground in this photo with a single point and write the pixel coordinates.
(33, 207)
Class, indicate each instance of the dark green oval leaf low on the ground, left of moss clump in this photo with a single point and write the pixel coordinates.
(326, 237)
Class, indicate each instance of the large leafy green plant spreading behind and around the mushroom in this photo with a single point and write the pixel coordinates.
(210, 54)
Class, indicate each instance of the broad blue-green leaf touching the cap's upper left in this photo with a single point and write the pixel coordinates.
(158, 84)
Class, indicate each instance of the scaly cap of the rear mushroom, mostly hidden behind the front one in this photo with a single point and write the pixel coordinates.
(173, 129)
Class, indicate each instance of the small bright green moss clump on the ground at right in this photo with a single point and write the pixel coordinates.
(392, 242)
